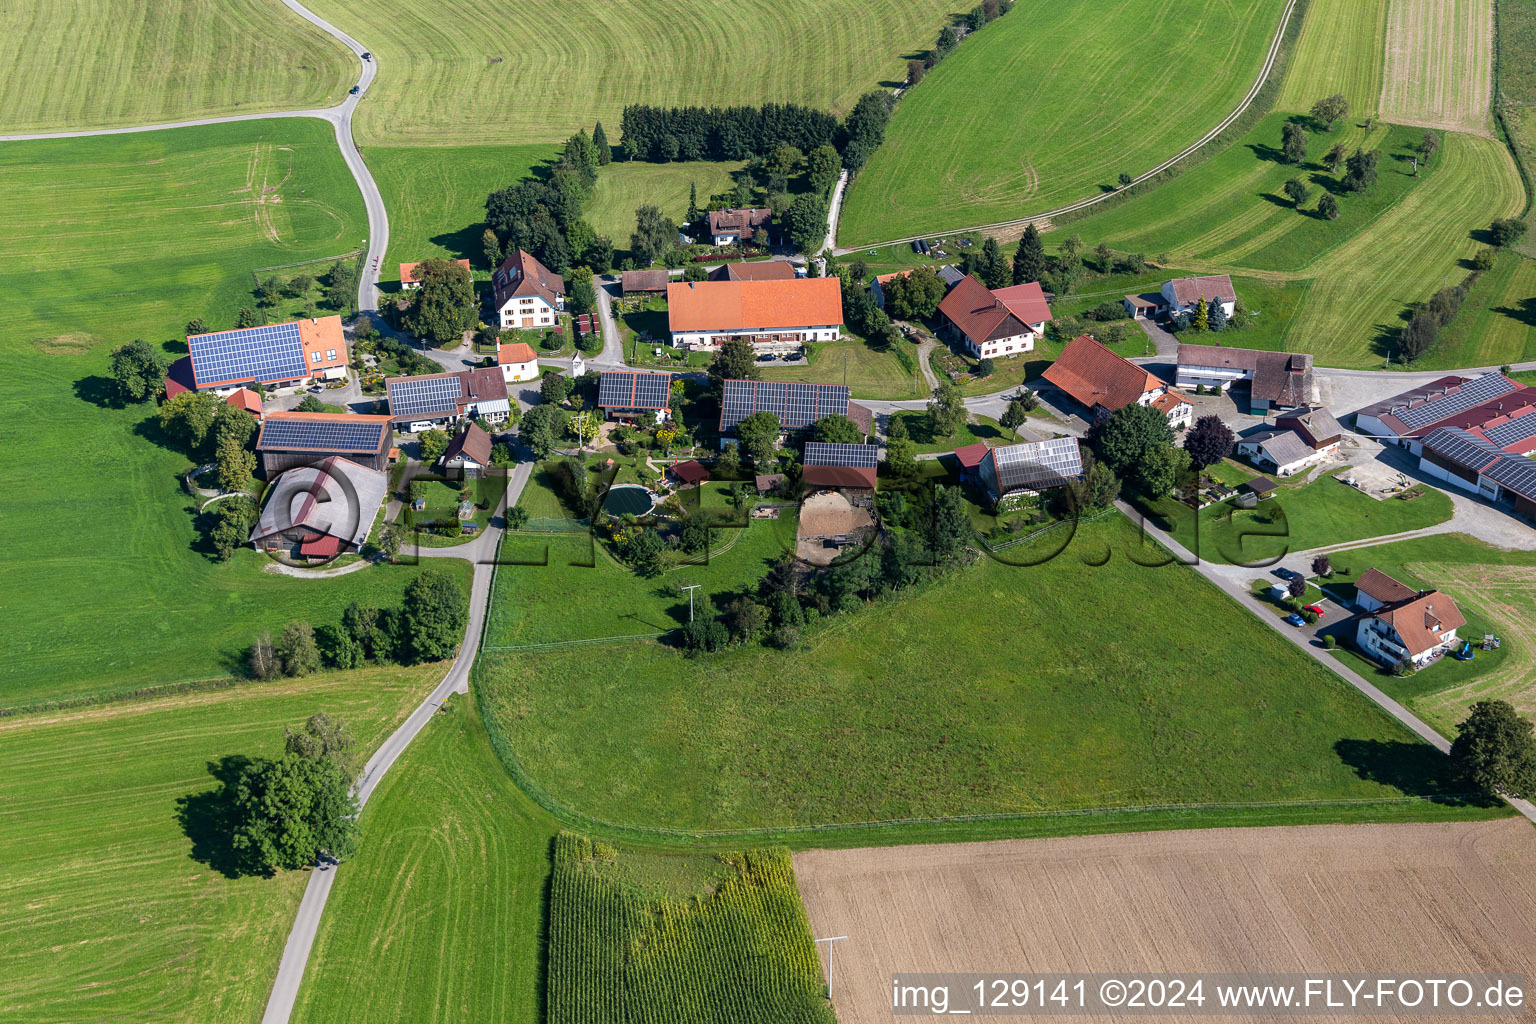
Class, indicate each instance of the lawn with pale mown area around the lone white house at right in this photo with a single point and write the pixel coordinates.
(1497, 593)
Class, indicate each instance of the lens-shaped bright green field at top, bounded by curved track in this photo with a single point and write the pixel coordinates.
(1050, 105)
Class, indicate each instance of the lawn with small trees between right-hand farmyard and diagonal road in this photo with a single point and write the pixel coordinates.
(1300, 518)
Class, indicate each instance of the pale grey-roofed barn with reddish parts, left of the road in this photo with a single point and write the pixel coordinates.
(319, 512)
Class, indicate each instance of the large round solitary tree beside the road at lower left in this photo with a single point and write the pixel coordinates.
(293, 810)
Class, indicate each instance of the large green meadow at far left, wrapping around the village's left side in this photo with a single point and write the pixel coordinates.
(110, 586)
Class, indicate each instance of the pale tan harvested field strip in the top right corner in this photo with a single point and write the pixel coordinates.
(1440, 65)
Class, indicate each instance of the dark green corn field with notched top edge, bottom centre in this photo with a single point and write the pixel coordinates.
(740, 954)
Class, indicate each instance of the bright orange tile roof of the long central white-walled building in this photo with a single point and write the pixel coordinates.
(755, 305)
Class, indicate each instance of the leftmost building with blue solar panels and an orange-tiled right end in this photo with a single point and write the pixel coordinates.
(277, 355)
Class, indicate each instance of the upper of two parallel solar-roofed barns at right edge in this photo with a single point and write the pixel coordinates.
(1451, 401)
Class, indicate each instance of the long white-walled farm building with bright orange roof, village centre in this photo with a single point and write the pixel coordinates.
(773, 315)
